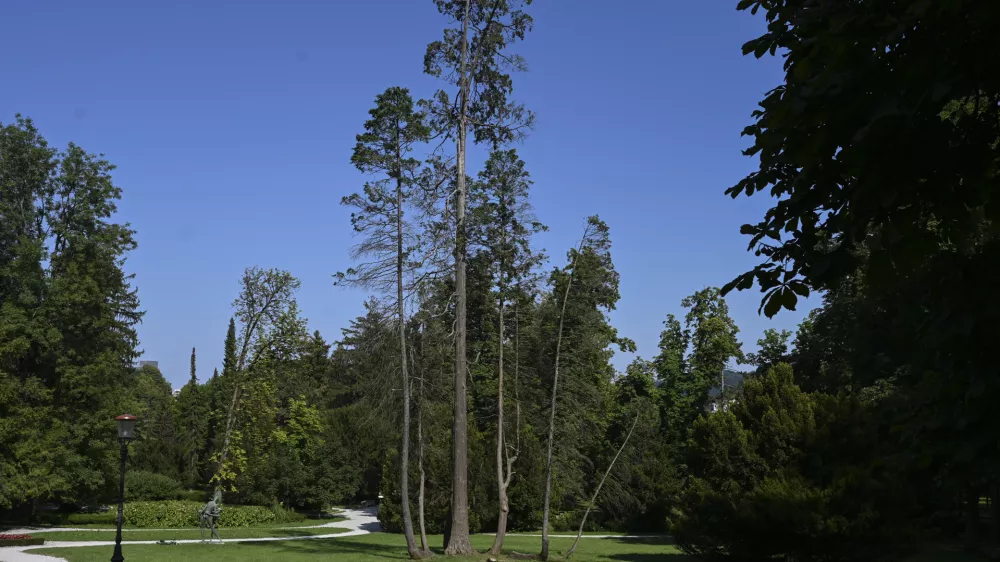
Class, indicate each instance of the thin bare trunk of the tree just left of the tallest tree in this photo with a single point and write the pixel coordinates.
(404, 471)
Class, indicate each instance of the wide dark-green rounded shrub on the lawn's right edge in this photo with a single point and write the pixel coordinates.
(774, 477)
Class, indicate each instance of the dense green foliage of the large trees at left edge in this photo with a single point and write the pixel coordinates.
(67, 319)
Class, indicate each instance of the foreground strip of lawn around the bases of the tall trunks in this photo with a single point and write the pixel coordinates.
(378, 546)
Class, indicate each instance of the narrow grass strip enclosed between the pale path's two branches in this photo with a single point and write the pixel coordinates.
(180, 534)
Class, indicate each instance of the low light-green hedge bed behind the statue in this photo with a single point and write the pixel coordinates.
(178, 513)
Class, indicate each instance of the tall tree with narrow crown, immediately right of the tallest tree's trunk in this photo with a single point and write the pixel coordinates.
(503, 223)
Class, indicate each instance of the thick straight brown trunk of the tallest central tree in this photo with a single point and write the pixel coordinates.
(458, 539)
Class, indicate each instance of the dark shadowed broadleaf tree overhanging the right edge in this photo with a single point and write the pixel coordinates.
(882, 169)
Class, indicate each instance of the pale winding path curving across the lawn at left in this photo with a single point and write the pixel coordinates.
(357, 521)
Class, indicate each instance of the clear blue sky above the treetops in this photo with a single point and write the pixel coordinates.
(232, 124)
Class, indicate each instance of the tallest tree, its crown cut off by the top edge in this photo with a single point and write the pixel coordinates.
(473, 58)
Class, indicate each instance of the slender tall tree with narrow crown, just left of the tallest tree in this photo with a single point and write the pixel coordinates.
(384, 150)
